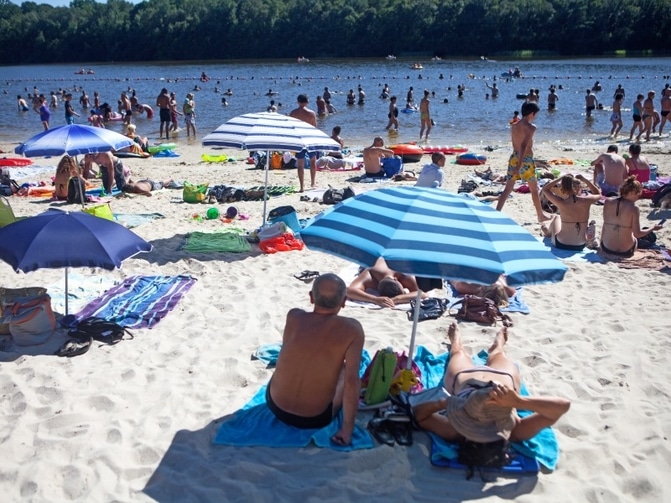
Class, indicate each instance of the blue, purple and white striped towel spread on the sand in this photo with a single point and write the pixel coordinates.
(138, 302)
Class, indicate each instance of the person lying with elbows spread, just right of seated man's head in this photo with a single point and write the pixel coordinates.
(392, 287)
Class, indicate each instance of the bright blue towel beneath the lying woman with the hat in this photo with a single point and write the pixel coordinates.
(543, 447)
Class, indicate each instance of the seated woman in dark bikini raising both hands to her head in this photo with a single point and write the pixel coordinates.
(568, 229)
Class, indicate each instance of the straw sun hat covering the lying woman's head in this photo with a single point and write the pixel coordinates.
(478, 420)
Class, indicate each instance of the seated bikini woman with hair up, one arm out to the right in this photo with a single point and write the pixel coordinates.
(622, 220)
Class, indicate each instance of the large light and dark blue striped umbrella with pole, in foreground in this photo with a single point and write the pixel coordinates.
(432, 233)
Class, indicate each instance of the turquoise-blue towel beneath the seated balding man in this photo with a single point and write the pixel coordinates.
(255, 425)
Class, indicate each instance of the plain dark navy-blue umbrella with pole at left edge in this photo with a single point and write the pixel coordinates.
(56, 239)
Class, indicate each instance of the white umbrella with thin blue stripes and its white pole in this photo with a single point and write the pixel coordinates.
(269, 131)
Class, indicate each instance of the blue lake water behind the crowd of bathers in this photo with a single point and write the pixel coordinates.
(471, 120)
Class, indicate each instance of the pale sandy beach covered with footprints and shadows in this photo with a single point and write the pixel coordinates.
(135, 421)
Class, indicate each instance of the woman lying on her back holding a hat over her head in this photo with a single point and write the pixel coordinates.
(486, 414)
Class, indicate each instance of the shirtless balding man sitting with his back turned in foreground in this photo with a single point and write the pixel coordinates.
(317, 370)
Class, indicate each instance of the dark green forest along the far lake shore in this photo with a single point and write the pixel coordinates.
(170, 30)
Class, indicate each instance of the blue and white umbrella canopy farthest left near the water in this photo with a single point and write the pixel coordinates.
(73, 139)
